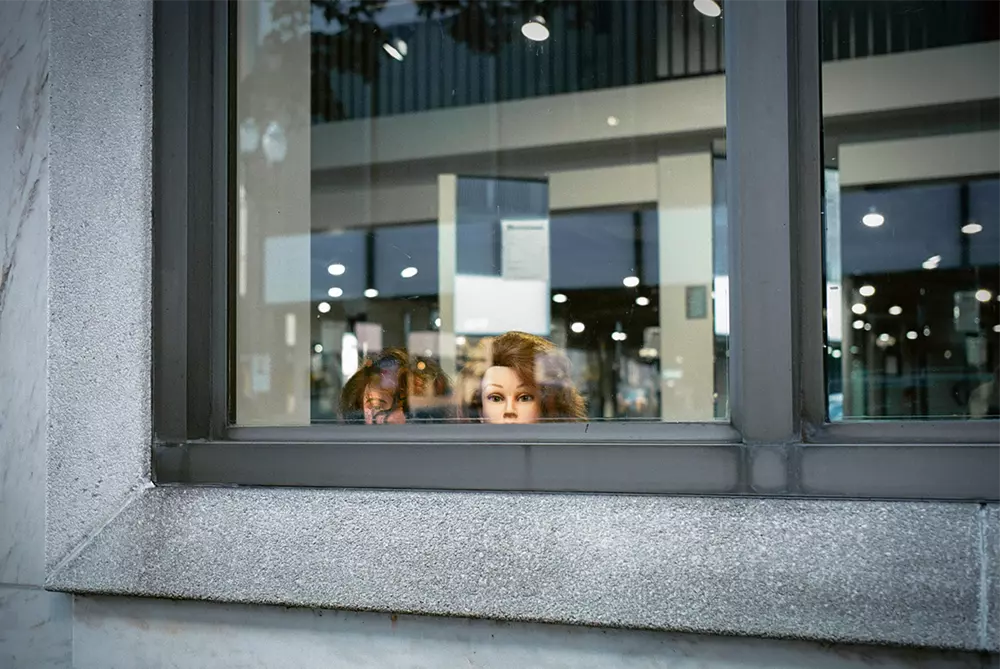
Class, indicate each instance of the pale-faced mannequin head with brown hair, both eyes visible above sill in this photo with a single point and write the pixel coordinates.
(519, 378)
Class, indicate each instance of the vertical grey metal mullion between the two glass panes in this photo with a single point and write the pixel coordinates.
(773, 161)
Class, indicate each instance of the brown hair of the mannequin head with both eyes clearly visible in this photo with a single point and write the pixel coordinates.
(536, 361)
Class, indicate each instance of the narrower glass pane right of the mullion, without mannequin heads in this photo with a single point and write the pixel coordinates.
(912, 219)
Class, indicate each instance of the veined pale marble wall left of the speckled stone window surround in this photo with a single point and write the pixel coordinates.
(35, 625)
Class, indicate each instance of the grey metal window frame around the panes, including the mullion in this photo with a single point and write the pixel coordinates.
(778, 442)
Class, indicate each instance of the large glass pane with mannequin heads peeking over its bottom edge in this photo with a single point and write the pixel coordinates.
(479, 211)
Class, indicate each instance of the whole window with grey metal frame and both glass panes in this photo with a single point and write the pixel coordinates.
(406, 182)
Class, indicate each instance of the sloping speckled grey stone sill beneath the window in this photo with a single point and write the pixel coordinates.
(840, 571)
